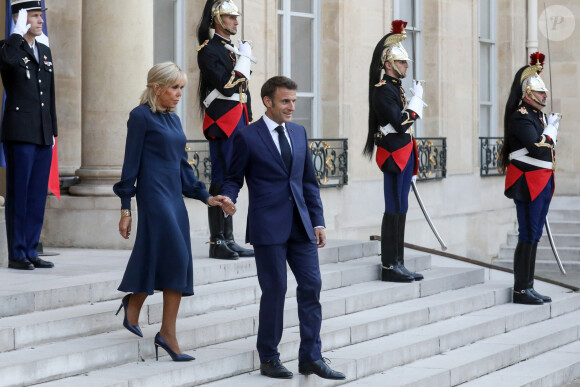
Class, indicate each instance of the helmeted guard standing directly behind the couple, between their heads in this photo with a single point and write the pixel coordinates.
(225, 101)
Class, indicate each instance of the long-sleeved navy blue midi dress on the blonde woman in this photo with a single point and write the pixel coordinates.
(156, 170)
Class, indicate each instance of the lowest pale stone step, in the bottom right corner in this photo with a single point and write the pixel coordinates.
(555, 368)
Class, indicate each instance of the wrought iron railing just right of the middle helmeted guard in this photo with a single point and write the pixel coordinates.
(432, 152)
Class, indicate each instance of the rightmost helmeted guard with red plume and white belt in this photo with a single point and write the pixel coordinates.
(528, 158)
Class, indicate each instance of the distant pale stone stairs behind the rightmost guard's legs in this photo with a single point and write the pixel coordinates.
(564, 217)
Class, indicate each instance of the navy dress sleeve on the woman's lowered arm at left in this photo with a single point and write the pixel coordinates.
(136, 130)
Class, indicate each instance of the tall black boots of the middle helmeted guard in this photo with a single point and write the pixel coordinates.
(391, 270)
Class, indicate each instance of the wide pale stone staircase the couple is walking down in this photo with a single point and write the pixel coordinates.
(58, 328)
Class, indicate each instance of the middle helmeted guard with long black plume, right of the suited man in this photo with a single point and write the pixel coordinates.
(391, 119)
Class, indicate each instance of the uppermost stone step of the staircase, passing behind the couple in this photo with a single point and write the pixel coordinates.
(102, 270)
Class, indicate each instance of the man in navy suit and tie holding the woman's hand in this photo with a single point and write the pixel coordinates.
(285, 224)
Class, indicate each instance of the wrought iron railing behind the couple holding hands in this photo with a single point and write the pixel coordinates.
(329, 156)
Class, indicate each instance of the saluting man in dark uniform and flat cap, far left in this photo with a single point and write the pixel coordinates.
(28, 128)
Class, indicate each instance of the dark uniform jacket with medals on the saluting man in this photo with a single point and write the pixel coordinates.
(30, 113)
